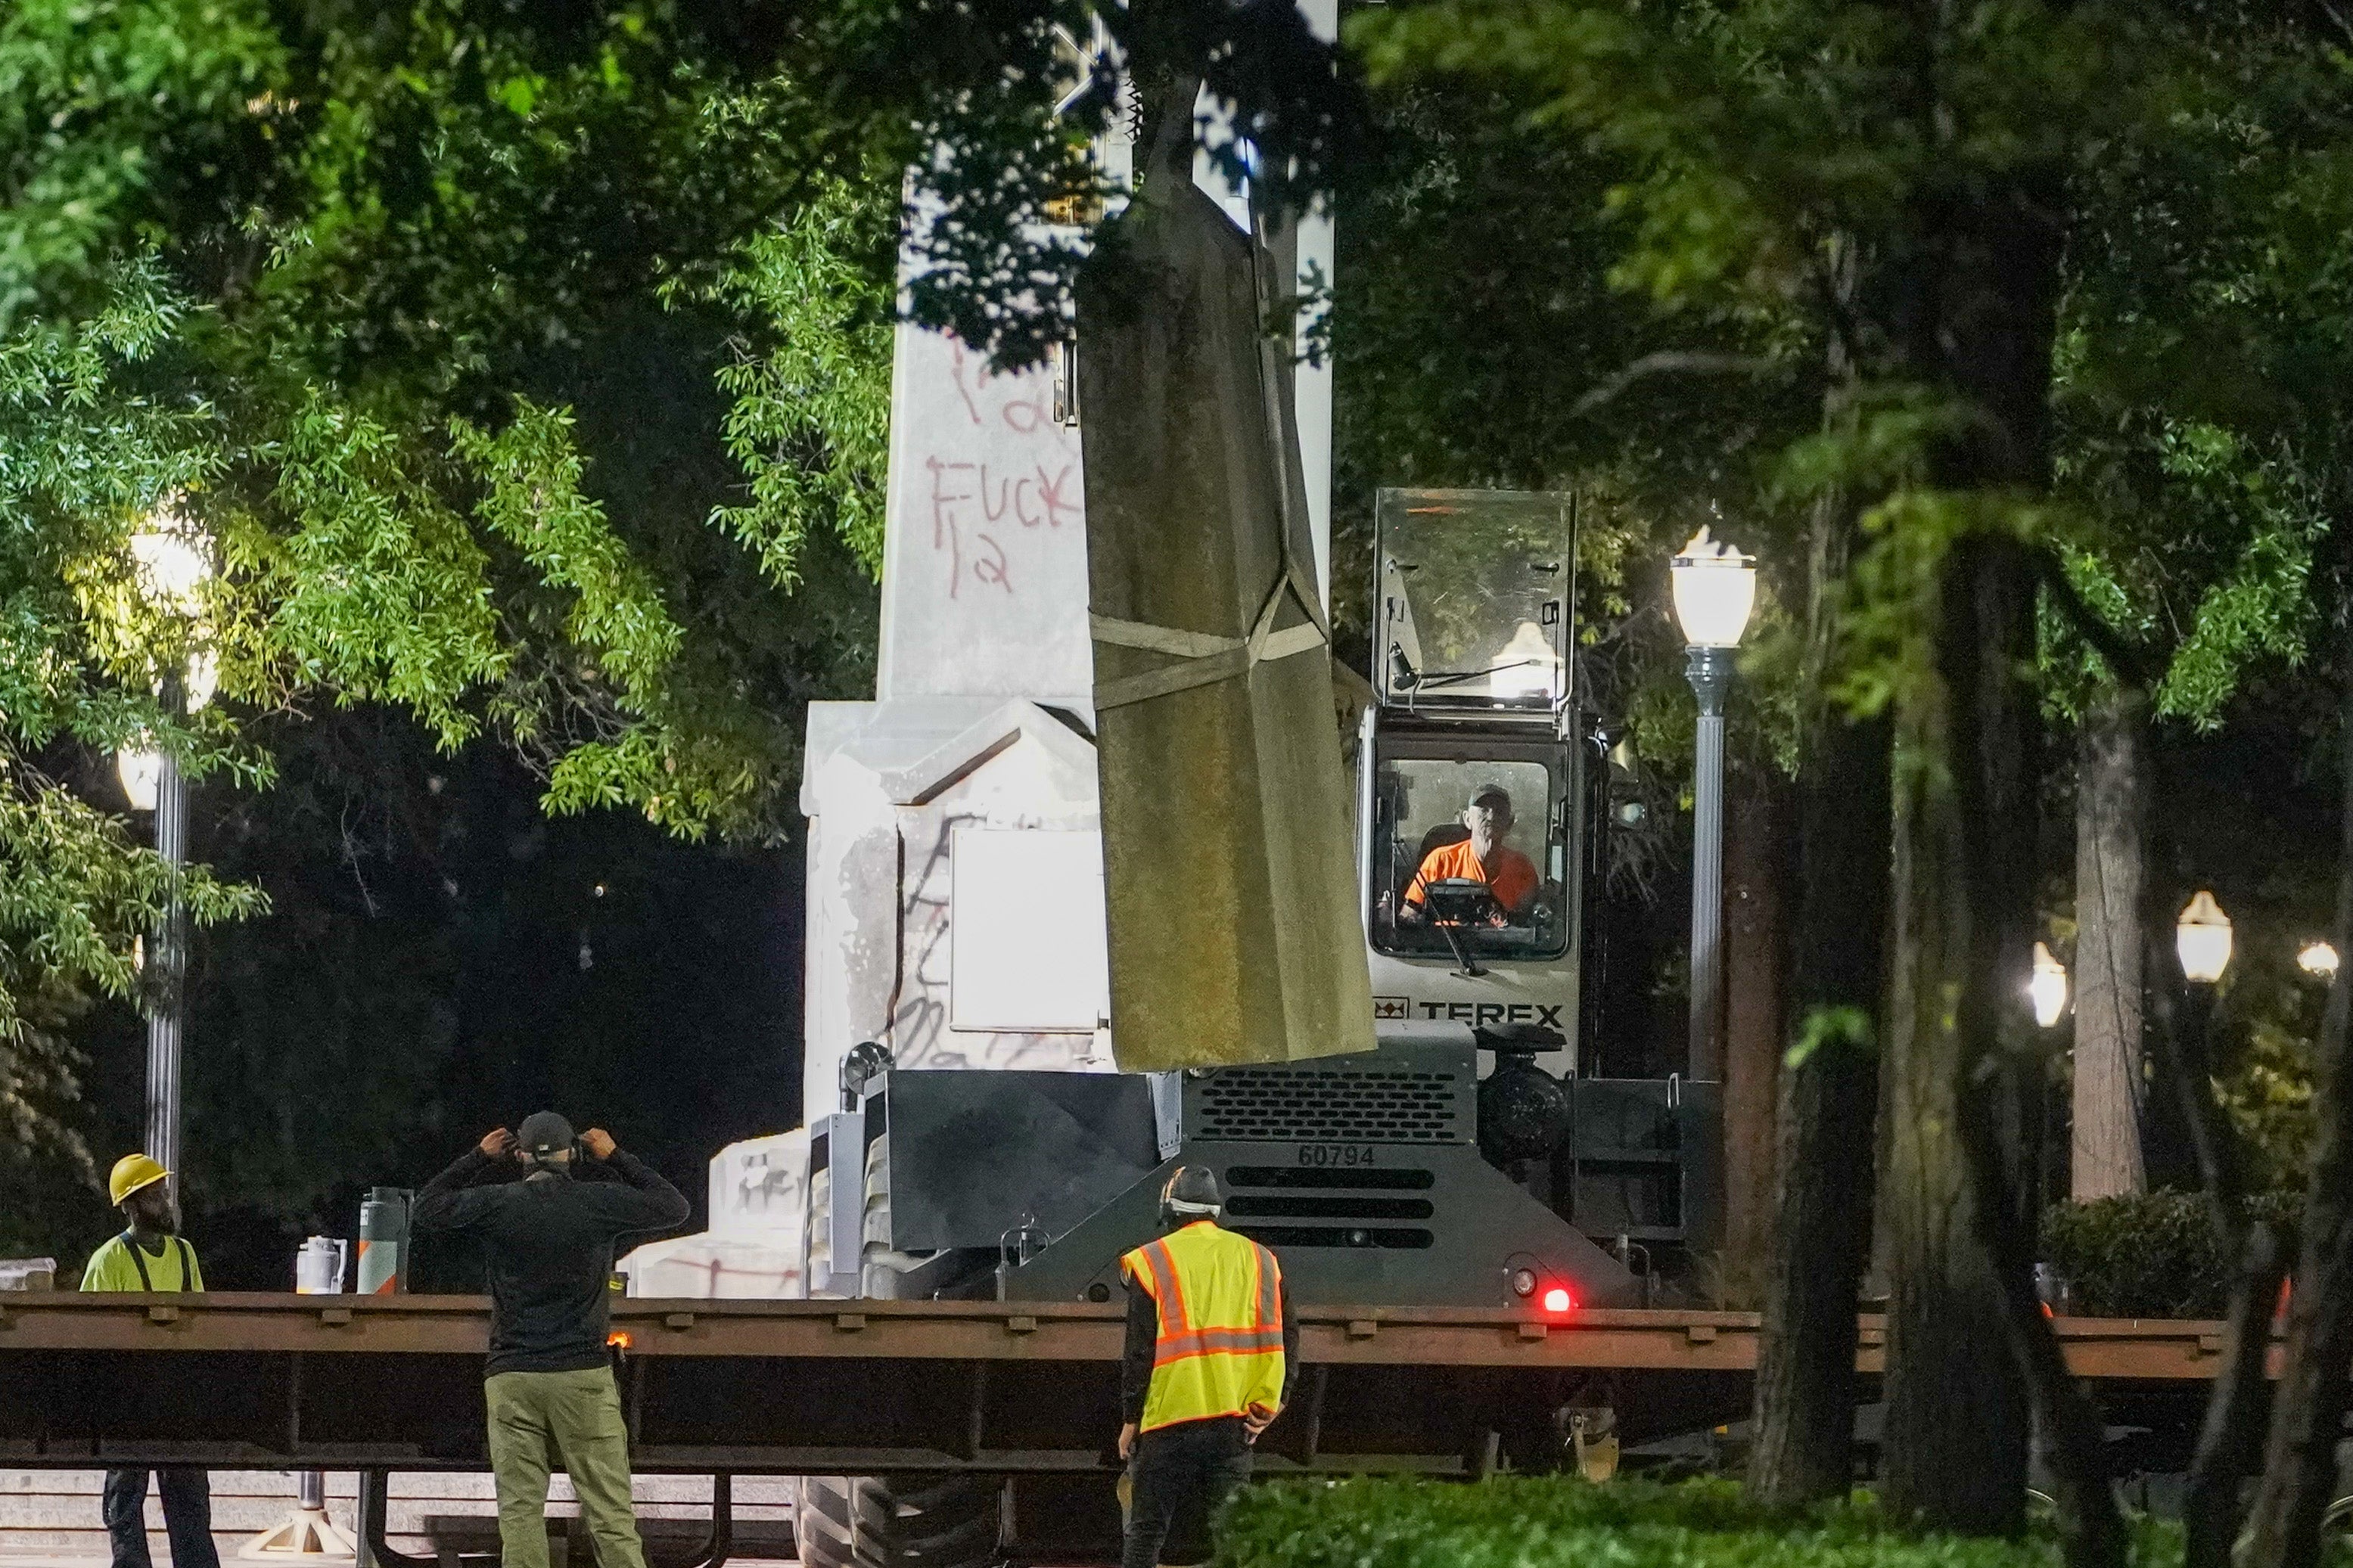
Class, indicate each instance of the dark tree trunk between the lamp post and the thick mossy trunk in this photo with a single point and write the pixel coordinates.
(1829, 1099)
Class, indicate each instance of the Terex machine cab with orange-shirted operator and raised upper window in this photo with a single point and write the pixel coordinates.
(1469, 768)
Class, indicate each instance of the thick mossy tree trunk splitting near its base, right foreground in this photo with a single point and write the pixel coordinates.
(1966, 1339)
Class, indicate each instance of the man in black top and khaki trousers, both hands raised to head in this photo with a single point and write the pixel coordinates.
(549, 1381)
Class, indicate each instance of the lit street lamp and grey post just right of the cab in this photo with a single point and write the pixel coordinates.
(1714, 594)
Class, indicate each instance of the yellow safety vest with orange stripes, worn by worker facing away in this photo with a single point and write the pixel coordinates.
(1220, 1348)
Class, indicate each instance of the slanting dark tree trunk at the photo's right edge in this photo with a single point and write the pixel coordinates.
(2307, 1416)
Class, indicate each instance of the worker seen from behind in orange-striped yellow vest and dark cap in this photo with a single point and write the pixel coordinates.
(1211, 1360)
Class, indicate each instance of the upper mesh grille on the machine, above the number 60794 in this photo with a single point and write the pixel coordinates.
(1333, 1106)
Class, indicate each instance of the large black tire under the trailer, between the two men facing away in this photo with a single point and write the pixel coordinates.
(905, 1522)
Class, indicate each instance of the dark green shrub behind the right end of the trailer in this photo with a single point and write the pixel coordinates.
(2147, 1257)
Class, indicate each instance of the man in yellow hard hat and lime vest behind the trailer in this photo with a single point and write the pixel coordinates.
(152, 1257)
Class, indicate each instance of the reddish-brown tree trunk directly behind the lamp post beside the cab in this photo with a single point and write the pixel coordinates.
(1757, 953)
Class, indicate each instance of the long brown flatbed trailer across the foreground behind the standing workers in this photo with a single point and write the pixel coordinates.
(865, 1388)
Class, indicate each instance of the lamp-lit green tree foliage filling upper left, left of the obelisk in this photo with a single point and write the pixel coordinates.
(316, 288)
